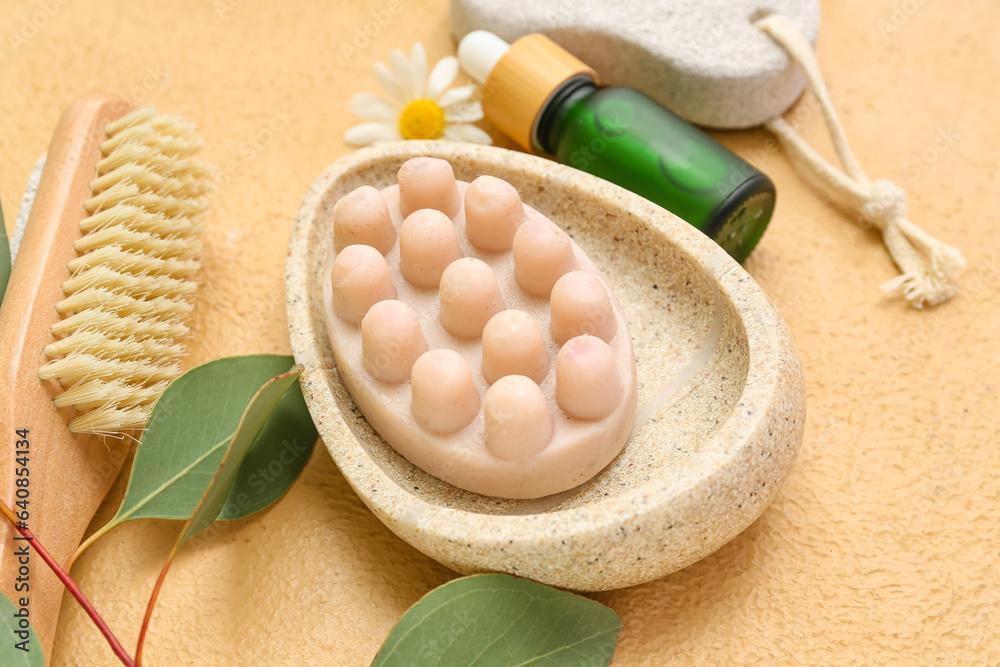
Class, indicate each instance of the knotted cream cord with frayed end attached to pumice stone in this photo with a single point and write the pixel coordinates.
(929, 268)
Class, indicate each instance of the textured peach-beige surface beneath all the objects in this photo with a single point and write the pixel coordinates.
(883, 546)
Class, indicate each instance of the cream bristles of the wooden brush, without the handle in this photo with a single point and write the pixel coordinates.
(129, 290)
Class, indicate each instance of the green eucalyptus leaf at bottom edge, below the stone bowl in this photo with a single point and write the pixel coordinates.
(498, 619)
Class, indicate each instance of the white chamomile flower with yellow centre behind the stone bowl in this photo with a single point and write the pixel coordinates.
(419, 107)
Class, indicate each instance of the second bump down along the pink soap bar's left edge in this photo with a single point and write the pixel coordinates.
(360, 278)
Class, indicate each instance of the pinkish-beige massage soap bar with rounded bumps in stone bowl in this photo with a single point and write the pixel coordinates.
(475, 336)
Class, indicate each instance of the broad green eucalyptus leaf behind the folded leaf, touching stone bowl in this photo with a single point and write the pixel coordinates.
(186, 438)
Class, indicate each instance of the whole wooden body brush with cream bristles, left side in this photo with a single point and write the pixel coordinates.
(88, 328)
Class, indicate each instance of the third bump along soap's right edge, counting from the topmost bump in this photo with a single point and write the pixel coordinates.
(542, 254)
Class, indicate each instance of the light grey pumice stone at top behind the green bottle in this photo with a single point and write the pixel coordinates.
(705, 60)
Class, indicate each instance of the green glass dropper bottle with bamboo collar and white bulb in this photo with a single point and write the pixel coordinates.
(551, 103)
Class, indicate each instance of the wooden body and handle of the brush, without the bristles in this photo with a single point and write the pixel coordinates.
(69, 475)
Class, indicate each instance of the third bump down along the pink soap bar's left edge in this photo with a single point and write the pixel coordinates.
(391, 341)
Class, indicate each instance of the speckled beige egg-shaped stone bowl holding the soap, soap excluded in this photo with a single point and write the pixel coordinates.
(721, 393)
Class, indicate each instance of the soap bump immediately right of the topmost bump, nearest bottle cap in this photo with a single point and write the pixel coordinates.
(493, 213)
